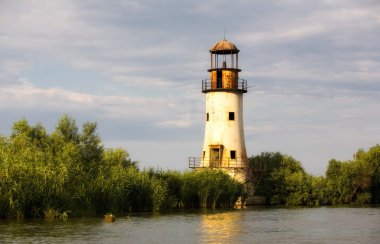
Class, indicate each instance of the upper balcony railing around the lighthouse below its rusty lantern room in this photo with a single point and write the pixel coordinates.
(239, 85)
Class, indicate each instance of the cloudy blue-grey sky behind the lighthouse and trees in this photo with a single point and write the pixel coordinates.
(135, 67)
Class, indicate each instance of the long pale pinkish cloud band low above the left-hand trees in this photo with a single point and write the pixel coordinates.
(126, 108)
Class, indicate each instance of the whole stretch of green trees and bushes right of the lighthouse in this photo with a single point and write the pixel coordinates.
(282, 180)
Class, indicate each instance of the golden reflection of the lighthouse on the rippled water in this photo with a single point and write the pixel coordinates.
(221, 227)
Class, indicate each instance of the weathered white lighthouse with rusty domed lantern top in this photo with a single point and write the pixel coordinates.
(224, 144)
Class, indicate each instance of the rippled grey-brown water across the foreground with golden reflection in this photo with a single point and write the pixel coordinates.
(252, 225)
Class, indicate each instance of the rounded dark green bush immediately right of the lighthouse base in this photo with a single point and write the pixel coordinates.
(283, 181)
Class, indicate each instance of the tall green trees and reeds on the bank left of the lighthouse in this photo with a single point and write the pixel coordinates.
(70, 173)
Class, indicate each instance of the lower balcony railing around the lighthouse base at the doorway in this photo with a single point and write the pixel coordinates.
(200, 162)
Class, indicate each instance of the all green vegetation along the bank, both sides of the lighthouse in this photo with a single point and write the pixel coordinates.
(69, 173)
